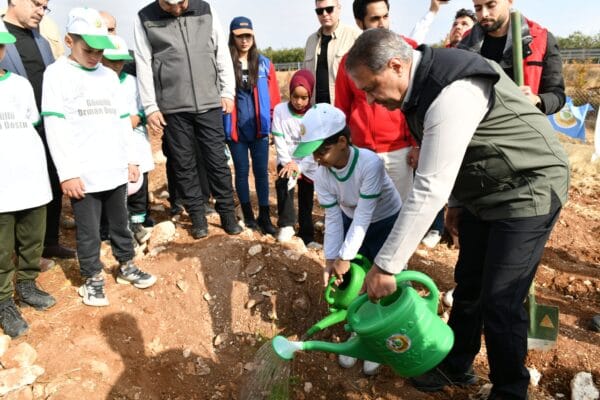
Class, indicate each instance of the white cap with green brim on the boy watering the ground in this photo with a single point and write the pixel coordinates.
(320, 122)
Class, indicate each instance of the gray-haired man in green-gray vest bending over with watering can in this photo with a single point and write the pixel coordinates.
(495, 153)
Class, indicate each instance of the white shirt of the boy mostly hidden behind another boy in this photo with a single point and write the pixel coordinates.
(141, 142)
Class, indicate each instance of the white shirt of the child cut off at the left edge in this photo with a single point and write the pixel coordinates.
(24, 181)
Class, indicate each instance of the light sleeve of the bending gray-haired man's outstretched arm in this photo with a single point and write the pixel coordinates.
(448, 128)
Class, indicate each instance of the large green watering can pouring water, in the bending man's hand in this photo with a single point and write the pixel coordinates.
(402, 330)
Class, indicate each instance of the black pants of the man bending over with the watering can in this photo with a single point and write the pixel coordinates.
(496, 265)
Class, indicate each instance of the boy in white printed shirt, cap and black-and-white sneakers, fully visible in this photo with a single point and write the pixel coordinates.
(90, 138)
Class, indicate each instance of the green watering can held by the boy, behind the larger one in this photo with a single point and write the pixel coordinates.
(340, 297)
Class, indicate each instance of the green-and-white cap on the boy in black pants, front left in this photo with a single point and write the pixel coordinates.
(87, 23)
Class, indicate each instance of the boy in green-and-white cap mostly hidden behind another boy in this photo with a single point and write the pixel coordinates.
(137, 202)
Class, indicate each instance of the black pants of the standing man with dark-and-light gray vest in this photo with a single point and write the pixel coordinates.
(190, 137)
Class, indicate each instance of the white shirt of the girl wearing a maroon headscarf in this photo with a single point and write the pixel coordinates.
(286, 132)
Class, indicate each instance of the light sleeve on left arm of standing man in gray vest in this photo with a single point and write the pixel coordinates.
(143, 65)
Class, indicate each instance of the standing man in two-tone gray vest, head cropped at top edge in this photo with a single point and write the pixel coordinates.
(186, 82)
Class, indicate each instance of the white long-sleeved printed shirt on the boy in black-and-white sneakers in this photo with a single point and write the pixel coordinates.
(87, 124)
